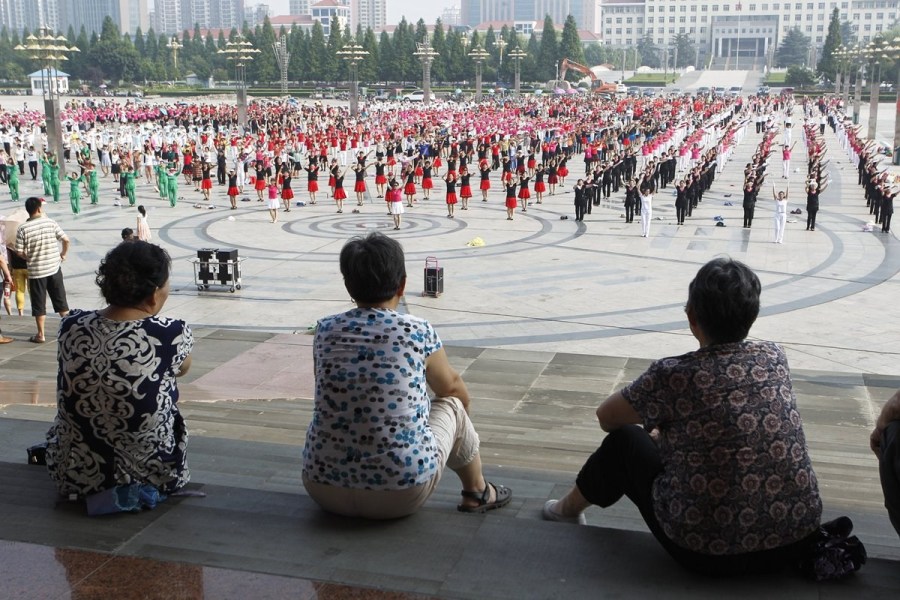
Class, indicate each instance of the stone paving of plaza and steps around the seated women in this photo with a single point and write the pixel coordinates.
(544, 321)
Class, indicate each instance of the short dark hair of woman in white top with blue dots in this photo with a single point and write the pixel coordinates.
(373, 268)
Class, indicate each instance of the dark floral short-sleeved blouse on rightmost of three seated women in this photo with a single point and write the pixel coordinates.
(736, 474)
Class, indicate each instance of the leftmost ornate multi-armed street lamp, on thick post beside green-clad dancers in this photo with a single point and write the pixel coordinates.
(49, 51)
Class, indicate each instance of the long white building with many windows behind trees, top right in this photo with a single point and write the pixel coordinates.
(748, 31)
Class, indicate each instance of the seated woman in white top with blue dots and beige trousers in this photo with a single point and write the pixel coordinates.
(378, 444)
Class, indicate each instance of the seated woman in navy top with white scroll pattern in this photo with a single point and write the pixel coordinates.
(117, 421)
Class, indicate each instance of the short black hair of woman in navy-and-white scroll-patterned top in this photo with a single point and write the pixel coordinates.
(132, 271)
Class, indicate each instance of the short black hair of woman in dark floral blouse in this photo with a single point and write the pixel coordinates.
(724, 300)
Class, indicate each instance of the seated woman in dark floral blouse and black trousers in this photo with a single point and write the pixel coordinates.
(720, 469)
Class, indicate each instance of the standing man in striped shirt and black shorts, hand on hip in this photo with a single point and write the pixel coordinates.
(38, 240)
